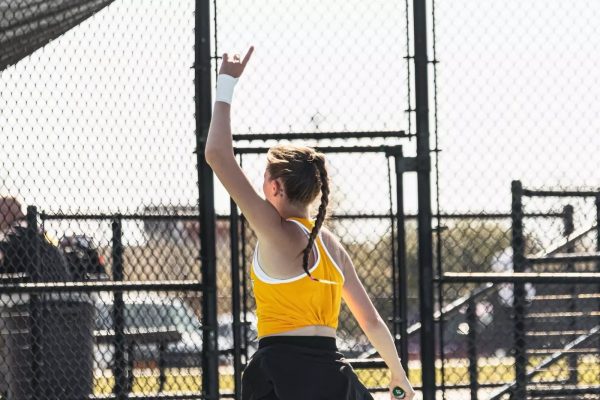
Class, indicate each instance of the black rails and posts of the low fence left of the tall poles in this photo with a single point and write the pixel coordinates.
(122, 340)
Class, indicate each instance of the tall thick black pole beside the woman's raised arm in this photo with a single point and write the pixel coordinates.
(203, 111)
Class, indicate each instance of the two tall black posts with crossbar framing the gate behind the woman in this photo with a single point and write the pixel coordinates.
(421, 164)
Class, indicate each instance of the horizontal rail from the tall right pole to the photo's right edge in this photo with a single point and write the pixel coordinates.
(520, 277)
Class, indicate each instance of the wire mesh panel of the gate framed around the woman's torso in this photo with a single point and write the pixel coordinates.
(367, 224)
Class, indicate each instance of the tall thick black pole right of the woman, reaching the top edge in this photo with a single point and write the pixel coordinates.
(424, 201)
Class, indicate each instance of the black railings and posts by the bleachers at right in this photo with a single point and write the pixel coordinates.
(519, 277)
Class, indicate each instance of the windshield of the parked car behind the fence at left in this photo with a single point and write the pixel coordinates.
(151, 315)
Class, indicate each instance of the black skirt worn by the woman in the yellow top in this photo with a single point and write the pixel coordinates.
(300, 368)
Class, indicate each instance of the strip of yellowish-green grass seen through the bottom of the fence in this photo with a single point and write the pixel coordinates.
(492, 370)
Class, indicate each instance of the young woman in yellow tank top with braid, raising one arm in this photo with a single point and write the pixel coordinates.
(300, 271)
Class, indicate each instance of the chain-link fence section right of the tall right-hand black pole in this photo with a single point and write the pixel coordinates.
(515, 101)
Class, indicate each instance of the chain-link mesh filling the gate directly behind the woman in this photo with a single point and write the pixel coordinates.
(362, 222)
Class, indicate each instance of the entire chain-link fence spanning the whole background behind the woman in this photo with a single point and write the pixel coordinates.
(109, 283)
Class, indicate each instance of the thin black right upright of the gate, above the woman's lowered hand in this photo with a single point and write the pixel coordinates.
(402, 289)
